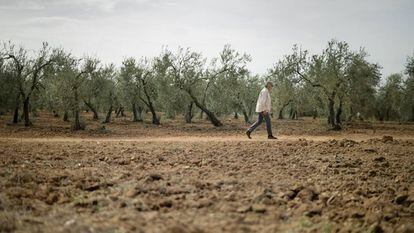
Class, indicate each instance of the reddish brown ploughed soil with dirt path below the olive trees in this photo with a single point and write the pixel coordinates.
(135, 177)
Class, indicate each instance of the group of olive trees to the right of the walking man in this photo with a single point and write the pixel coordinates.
(341, 84)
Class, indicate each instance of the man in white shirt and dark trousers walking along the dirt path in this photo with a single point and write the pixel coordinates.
(263, 107)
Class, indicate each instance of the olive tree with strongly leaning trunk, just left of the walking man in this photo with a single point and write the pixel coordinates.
(189, 73)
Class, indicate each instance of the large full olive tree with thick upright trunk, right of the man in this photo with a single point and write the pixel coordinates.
(329, 72)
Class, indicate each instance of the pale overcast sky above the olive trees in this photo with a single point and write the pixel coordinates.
(115, 29)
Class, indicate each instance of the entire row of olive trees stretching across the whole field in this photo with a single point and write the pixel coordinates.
(338, 83)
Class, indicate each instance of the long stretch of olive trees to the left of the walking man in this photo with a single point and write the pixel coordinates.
(173, 83)
